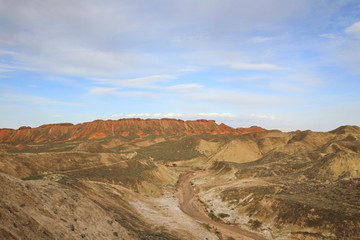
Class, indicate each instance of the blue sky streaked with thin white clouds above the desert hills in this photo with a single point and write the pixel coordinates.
(279, 64)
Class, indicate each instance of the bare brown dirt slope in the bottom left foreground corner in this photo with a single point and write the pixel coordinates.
(50, 210)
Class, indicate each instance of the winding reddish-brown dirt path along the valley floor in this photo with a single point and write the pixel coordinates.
(190, 205)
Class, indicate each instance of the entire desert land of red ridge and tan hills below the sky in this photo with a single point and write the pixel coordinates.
(174, 179)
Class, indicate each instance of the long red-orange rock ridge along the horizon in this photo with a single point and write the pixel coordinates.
(122, 127)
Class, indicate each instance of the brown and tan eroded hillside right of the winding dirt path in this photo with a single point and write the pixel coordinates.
(313, 174)
